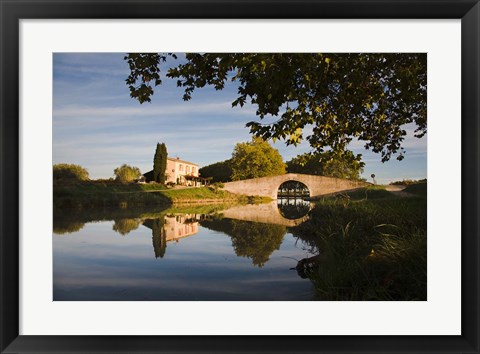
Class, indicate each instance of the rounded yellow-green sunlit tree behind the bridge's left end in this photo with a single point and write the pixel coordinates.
(256, 159)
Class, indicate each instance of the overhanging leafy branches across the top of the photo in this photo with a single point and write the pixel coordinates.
(342, 96)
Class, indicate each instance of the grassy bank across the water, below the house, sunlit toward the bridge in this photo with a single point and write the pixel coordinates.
(111, 194)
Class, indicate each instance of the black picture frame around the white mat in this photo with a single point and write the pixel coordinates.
(12, 11)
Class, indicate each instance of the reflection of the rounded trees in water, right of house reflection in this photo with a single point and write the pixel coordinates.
(256, 241)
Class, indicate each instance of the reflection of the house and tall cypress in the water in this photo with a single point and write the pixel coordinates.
(170, 228)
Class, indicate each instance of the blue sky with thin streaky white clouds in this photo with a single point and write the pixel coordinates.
(98, 126)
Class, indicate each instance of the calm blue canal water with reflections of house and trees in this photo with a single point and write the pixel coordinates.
(202, 253)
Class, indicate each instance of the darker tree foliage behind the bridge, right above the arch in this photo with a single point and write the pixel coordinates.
(345, 165)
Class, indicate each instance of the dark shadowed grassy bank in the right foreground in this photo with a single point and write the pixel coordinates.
(369, 245)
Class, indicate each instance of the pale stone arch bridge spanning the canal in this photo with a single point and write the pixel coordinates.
(268, 186)
